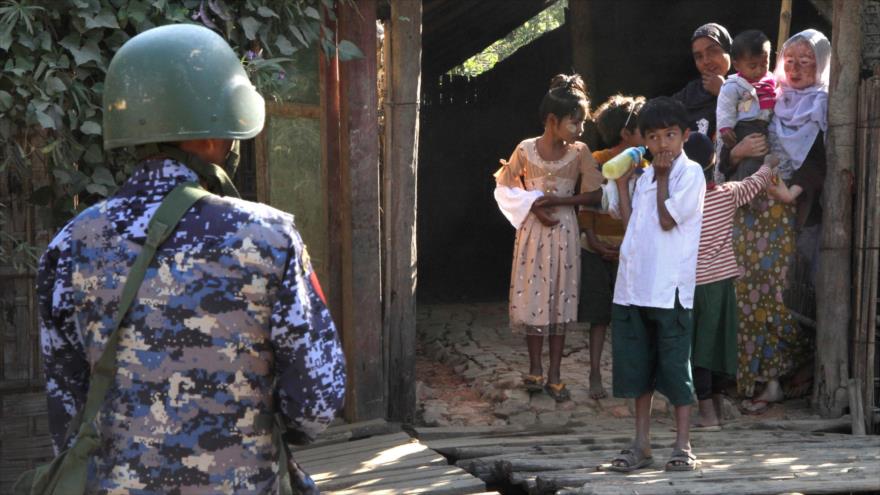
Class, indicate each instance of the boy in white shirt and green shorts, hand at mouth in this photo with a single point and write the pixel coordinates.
(651, 319)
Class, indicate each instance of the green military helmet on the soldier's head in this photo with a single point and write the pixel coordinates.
(175, 83)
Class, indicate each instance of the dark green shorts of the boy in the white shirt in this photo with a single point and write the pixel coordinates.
(651, 350)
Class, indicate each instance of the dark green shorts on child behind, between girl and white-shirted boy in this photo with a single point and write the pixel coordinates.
(597, 288)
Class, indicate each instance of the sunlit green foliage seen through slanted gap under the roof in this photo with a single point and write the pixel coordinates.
(547, 20)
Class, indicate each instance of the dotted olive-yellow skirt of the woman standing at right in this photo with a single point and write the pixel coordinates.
(771, 344)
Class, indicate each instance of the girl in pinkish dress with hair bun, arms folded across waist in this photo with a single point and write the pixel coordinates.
(537, 190)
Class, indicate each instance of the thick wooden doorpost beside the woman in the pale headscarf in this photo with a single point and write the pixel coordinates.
(834, 282)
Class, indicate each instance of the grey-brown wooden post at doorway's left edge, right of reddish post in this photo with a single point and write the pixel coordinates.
(401, 147)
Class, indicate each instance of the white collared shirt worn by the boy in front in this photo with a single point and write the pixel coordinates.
(655, 263)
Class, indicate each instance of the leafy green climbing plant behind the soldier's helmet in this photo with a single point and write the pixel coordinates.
(54, 54)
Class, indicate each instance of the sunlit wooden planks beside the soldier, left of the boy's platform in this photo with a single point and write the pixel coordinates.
(388, 463)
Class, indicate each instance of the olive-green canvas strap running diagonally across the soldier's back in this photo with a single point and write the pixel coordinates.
(73, 470)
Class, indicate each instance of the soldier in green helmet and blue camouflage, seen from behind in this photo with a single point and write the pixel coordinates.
(229, 325)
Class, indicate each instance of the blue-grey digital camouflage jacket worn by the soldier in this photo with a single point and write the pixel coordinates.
(229, 324)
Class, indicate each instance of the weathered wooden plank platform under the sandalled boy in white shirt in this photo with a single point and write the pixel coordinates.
(744, 461)
